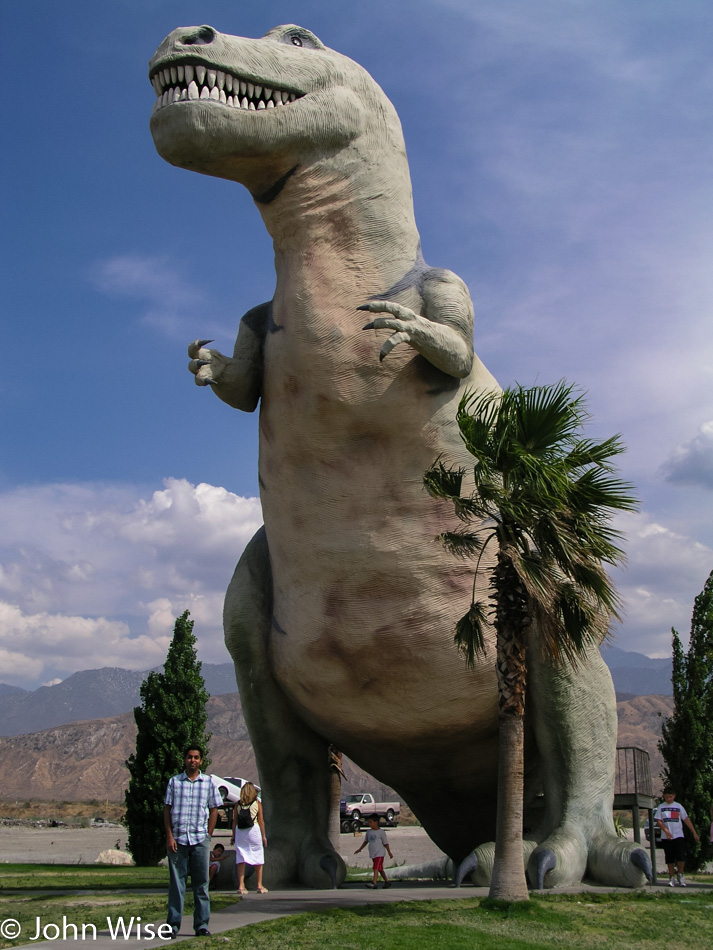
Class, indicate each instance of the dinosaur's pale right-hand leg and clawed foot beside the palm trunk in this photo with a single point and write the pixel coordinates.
(573, 716)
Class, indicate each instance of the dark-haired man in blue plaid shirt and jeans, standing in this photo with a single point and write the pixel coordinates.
(189, 813)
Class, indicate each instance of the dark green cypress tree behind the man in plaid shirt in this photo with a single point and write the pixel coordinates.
(171, 717)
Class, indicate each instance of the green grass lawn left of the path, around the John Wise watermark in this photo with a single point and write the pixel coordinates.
(84, 895)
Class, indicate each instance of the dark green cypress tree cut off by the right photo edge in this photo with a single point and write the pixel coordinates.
(687, 736)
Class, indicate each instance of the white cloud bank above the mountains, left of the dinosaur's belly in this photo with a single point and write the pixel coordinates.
(95, 575)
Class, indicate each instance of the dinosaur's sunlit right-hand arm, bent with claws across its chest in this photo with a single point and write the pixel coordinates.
(443, 334)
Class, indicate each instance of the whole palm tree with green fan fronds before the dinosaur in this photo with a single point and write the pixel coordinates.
(542, 496)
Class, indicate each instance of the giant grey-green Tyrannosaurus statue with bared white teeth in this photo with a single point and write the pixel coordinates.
(341, 612)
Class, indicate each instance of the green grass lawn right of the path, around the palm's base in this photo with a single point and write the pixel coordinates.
(678, 921)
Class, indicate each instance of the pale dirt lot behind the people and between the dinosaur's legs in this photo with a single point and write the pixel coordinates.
(83, 845)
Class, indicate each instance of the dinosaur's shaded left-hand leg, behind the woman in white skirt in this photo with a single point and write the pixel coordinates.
(292, 760)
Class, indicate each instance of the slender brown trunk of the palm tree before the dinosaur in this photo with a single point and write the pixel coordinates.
(508, 881)
